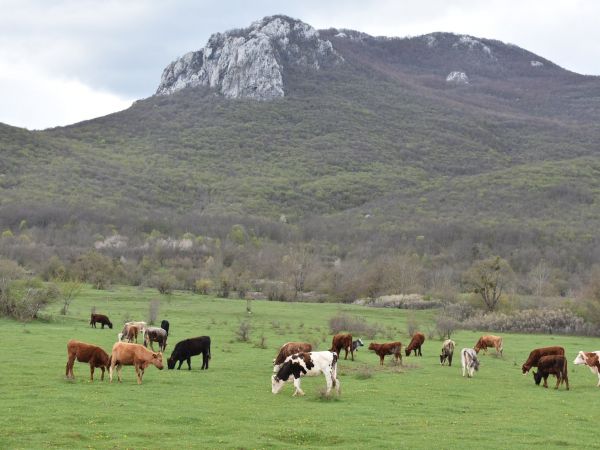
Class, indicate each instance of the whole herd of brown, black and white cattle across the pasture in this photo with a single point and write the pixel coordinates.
(296, 359)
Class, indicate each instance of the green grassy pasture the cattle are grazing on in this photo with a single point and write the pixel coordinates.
(416, 405)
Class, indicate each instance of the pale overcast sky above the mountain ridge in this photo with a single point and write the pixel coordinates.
(63, 61)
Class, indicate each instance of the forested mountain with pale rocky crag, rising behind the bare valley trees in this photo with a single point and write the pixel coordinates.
(448, 137)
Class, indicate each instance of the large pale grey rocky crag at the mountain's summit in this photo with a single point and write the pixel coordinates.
(251, 62)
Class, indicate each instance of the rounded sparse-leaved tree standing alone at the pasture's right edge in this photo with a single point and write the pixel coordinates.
(489, 278)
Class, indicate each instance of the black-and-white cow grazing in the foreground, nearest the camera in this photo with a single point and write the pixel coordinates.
(307, 364)
